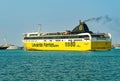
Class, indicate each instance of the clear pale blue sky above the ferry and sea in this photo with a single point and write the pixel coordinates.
(21, 16)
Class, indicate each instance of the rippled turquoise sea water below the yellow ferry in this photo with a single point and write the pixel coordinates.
(20, 65)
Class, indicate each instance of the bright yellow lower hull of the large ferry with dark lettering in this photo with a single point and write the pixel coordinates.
(67, 46)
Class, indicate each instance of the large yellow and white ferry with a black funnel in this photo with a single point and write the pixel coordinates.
(79, 39)
